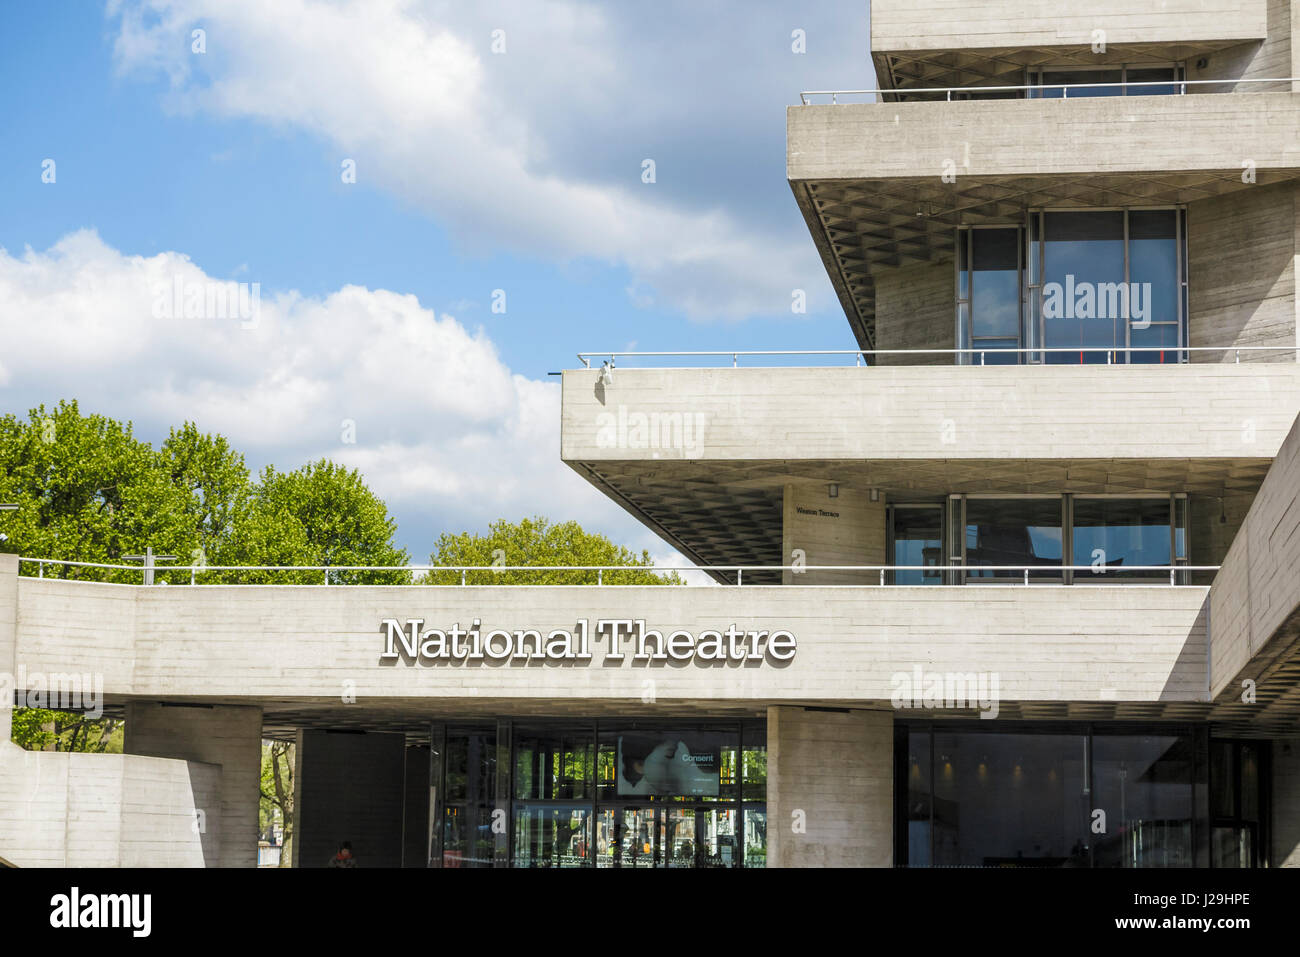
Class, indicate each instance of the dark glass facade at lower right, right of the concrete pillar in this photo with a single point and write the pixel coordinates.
(1074, 796)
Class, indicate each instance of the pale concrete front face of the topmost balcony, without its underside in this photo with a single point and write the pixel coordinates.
(912, 25)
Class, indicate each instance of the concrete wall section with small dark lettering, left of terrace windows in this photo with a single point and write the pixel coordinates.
(847, 530)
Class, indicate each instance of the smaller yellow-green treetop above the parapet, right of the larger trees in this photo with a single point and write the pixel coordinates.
(536, 542)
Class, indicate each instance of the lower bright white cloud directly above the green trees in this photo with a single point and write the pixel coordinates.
(445, 432)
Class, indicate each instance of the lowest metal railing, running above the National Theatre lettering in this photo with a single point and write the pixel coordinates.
(976, 574)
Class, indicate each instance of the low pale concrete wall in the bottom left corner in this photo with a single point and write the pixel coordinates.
(107, 811)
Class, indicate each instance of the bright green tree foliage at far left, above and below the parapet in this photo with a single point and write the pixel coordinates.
(89, 491)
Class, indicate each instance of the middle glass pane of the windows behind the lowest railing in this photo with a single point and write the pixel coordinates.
(1020, 532)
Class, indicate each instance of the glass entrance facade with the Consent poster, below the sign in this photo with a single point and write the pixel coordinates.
(601, 795)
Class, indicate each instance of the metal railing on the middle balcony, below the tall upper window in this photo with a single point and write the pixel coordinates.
(974, 354)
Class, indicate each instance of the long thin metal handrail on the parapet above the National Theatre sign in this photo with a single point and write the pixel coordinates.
(739, 570)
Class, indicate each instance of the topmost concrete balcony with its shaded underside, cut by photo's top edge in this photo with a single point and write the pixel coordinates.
(959, 44)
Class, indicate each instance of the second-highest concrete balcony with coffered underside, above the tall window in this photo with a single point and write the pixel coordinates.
(885, 185)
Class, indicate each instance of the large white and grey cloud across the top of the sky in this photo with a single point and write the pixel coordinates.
(414, 94)
